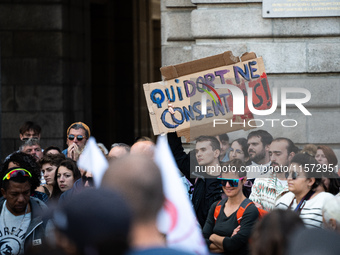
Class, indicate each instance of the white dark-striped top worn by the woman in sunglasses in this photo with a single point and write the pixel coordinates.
(311, 213)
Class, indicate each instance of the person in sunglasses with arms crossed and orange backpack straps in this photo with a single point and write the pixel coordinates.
(222, 232)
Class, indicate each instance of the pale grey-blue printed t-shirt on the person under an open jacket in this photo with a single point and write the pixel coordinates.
(13, 231)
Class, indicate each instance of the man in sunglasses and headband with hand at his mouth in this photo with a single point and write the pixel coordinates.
(77, 135)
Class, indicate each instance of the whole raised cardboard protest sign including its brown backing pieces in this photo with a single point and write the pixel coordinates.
(208, 92)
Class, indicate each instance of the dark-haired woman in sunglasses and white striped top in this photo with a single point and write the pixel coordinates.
(304, 197)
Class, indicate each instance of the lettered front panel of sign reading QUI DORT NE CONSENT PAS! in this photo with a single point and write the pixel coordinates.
(217, 87)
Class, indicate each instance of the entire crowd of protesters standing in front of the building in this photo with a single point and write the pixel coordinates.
(255, 195)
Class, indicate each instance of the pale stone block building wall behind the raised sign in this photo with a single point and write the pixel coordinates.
(297, 52)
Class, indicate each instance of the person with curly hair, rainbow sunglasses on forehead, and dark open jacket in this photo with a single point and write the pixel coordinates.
(20, 214)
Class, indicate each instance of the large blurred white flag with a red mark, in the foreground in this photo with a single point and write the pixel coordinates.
(177, 219)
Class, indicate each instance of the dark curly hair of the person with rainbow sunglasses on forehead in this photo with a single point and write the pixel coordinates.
(25, 161)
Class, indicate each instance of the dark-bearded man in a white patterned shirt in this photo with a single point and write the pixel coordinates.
(266, 191)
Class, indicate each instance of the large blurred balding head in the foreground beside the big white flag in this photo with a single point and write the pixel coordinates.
(137, 173)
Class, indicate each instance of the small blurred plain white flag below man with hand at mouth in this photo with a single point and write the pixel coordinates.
(93, 160)
